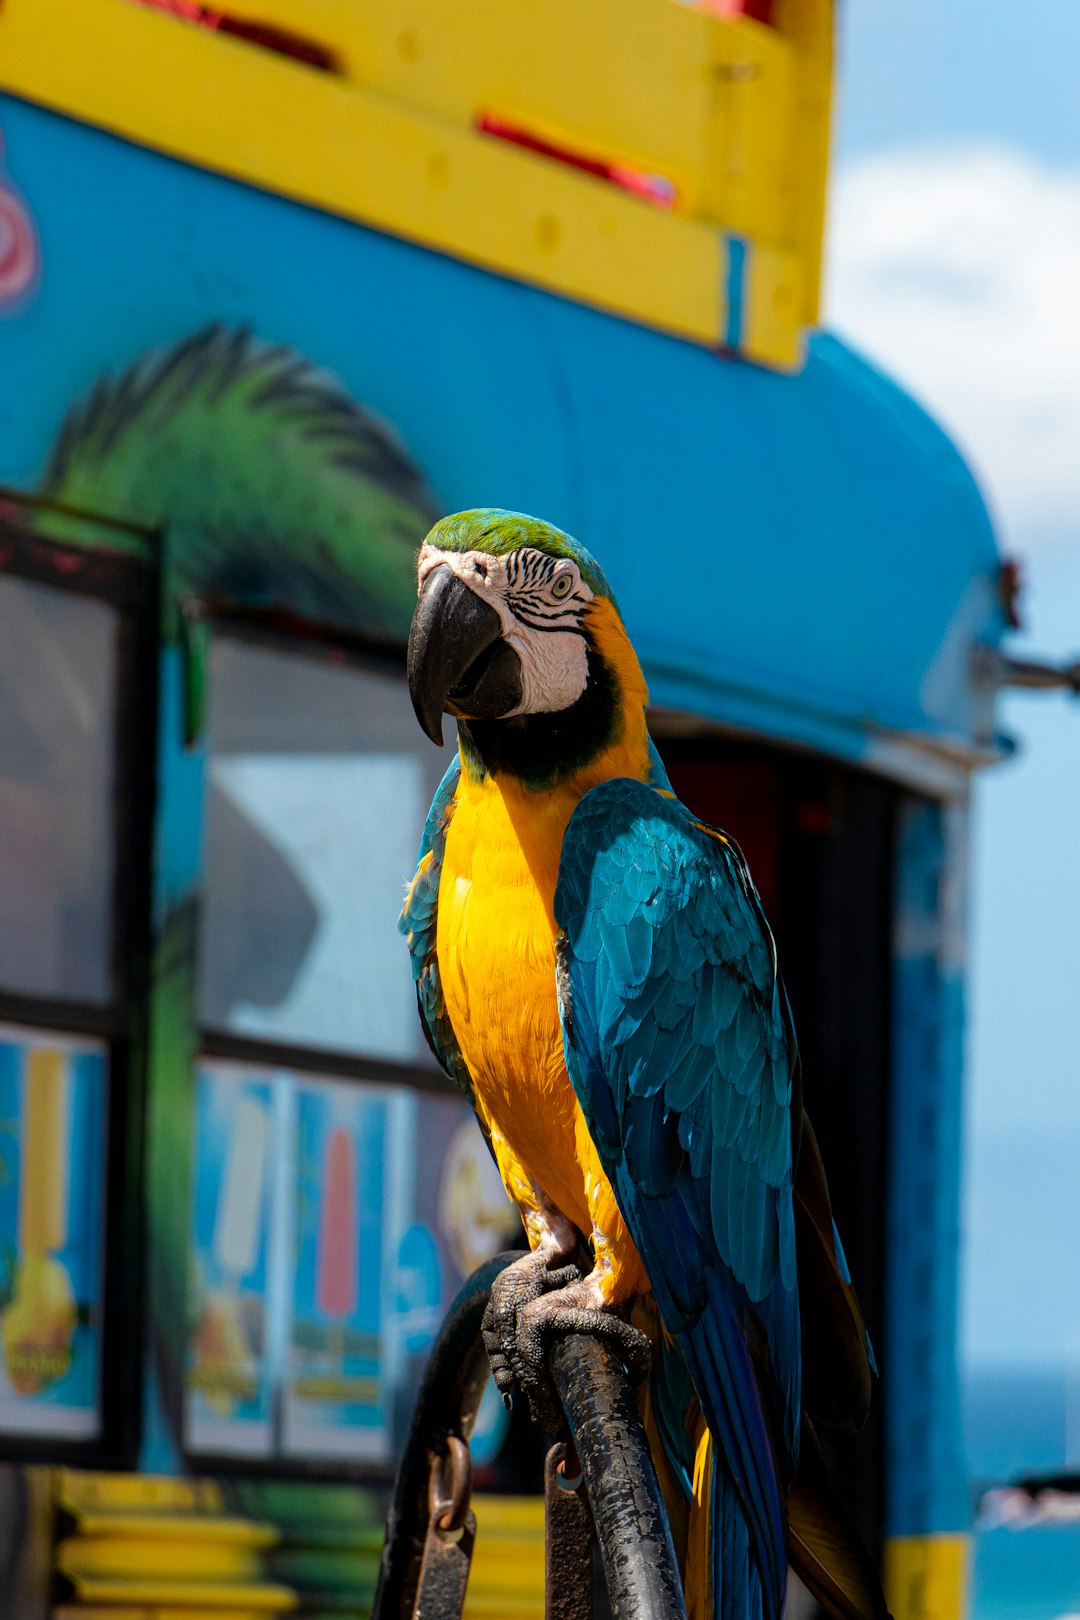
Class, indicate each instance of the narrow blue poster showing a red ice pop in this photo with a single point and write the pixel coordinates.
(336, 1394)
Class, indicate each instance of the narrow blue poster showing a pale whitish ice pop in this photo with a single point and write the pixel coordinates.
(229, 1379)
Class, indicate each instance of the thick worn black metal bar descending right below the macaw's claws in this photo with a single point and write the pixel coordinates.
(632, 1528)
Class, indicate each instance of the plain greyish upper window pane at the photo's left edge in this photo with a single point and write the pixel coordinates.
(57, 731)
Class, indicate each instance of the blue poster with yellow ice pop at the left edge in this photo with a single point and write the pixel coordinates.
(53, 1167)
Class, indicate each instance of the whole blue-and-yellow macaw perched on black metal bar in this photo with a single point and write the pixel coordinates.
(595, 970)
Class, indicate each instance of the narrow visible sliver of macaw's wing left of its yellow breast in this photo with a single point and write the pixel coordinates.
(419, 923)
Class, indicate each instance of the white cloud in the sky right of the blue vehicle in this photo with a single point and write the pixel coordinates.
(959, 270)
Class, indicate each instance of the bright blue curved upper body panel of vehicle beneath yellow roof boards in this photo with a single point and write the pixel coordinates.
(806, 556)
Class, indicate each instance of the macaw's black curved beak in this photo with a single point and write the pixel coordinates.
(457, 657)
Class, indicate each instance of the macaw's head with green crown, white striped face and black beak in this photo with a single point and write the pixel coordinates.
(517, 636)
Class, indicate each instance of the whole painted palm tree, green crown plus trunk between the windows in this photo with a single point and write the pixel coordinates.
(270, 488)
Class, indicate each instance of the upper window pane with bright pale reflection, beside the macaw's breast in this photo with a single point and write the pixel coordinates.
(318, 787)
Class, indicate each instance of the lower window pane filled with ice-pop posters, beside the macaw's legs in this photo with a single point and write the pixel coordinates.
(331, 1226)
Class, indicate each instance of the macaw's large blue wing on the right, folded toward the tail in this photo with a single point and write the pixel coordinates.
(681, 1052)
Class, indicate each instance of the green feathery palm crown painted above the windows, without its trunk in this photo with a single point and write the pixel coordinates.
(273, 485)
